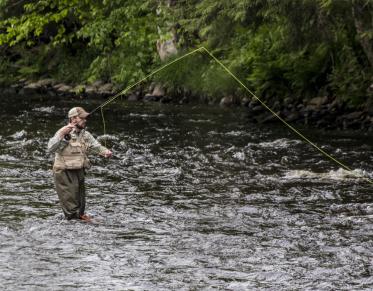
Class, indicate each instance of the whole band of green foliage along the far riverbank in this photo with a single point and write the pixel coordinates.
(298, 48)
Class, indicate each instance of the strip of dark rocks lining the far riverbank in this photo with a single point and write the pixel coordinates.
(321, 112)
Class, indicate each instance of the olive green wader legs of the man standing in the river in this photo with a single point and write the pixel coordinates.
(71, 191)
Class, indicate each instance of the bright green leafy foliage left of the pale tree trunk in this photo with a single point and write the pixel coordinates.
(86, 40)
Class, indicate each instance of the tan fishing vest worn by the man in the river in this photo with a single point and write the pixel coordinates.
(73, 156)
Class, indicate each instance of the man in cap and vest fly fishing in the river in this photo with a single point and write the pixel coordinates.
(71, 144)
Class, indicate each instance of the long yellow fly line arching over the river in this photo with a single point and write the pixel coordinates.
(203, 49)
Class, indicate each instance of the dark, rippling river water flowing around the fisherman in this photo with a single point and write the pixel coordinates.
(195, 198)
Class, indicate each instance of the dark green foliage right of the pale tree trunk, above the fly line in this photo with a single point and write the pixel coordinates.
(287, 48)
